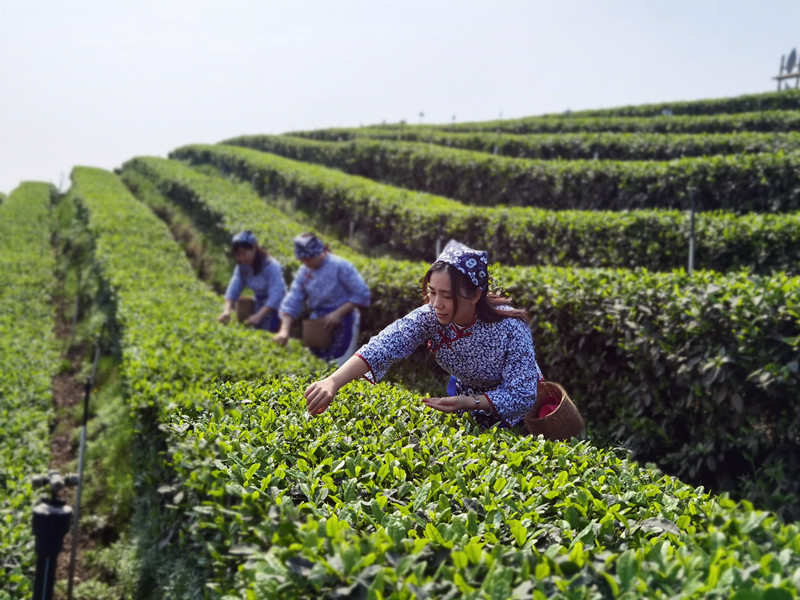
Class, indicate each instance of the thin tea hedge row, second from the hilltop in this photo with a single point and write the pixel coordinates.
(764, 121)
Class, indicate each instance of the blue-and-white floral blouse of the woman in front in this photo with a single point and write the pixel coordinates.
(496, 359)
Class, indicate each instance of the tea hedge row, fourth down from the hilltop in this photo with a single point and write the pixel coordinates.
(740, 183)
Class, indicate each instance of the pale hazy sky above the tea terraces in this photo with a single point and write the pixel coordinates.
(97, 82)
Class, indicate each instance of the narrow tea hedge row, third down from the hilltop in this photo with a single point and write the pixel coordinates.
(577, 146)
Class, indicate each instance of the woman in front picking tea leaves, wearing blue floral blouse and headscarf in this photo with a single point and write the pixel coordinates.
(476, 336)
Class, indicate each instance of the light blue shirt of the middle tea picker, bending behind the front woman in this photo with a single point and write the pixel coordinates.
(333, 283)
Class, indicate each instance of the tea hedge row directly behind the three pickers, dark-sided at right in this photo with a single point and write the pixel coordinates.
(664, 361)
